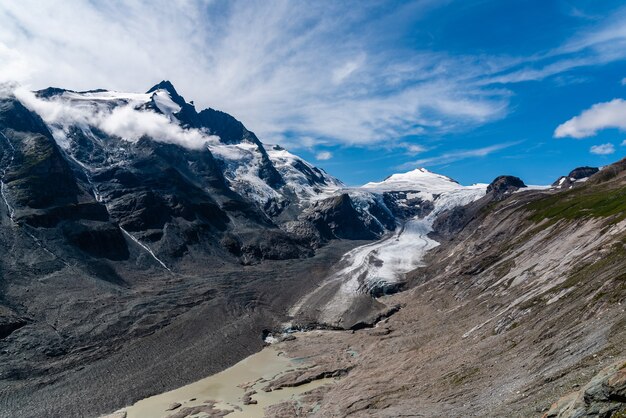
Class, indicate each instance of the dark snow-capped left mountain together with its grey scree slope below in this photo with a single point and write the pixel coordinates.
(131, 216)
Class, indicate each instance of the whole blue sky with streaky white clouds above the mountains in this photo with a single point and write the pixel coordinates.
(470, 89)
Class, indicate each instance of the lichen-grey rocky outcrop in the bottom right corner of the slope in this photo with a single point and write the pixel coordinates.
(603, 396)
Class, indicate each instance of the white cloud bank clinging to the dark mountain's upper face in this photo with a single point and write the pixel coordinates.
(125, 122)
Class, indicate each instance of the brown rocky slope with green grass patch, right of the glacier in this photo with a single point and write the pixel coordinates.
(522, 303)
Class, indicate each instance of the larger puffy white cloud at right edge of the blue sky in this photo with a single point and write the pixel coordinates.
(600, 116)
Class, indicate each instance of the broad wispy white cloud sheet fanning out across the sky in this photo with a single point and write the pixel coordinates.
(294, 72)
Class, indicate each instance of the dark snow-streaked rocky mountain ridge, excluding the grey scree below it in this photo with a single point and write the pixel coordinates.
(165, 172)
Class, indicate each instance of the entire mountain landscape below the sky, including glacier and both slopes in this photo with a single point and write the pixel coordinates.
(149, 244)
